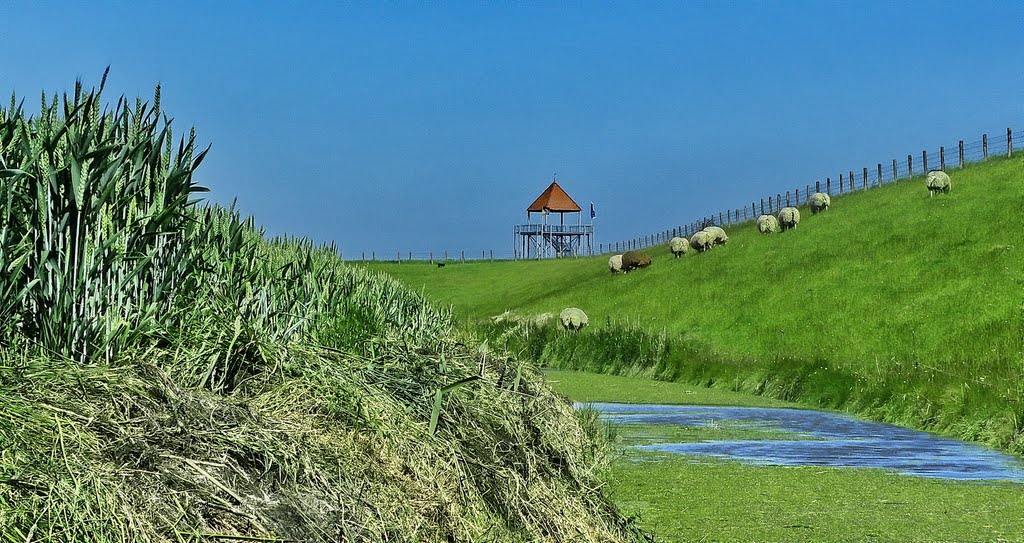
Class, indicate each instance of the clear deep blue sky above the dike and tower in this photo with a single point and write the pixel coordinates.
(433, 126)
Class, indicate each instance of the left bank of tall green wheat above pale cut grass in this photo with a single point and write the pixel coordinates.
(169, 374)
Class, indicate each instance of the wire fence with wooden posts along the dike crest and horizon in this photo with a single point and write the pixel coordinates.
(956, 156)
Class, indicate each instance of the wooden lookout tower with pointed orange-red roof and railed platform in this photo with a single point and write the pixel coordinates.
(549, 239)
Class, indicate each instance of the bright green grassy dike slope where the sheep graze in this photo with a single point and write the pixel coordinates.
(894, 305)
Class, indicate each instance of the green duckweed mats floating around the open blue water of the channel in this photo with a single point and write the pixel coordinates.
(679, 498)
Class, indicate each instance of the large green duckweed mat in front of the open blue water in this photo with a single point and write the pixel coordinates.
(680, 500)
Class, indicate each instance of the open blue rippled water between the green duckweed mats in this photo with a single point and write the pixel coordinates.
(803, 438)
